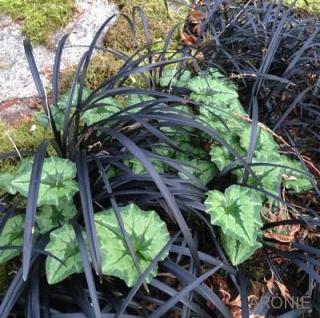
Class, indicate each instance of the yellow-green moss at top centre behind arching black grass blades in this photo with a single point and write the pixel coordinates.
(119, 36)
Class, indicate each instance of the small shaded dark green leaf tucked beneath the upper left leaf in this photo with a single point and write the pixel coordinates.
(49, 217)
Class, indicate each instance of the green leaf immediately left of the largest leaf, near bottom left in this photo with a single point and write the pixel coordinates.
(63, 245)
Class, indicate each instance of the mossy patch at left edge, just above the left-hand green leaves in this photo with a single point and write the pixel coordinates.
(25, 136)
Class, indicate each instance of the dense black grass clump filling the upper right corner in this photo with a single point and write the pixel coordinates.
(272, 51)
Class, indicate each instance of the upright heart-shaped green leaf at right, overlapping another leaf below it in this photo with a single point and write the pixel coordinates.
(237, 212)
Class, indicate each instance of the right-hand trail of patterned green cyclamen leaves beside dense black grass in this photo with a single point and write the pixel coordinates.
(237, 210)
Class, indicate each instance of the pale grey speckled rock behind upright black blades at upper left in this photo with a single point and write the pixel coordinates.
(15, 77)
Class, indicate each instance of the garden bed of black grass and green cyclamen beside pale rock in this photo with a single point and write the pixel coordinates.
(179, 182)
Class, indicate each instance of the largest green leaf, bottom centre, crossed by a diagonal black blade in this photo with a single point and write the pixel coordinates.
(148, 235)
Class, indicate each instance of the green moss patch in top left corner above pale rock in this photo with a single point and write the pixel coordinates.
(39, 18)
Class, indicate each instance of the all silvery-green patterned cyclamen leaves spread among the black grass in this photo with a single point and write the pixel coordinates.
(237, 211)
